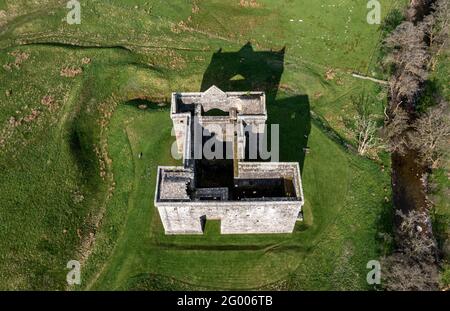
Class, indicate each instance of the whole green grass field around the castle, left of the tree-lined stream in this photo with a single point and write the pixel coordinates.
(73, 187)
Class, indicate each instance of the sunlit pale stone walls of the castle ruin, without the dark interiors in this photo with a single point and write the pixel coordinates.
(183, 208)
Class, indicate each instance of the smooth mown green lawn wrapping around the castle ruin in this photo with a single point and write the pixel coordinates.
(328, 251)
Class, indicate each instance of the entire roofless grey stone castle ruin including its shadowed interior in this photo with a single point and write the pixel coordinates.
(246, 195)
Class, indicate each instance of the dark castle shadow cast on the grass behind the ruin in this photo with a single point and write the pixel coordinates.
(250, 70)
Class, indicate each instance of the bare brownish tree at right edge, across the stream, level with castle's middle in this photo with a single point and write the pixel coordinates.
(431, 135)
